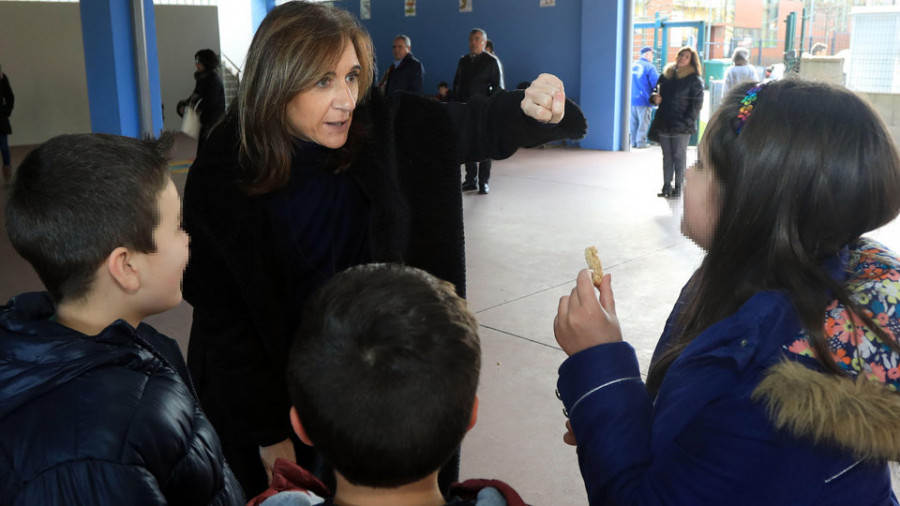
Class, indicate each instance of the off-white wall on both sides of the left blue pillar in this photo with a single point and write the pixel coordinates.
(42, 51)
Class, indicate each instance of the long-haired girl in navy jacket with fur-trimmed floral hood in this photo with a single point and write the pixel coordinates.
(775, 380)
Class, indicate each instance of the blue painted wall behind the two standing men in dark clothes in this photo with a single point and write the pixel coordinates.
(527, 38)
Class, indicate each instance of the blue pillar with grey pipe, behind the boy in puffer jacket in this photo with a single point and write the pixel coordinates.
(111, 63)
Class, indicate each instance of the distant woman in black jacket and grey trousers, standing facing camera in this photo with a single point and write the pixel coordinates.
(679, 96)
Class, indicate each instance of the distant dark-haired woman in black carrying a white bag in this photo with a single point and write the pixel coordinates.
(208, 95)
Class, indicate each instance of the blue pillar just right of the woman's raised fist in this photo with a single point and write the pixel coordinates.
(605, 72)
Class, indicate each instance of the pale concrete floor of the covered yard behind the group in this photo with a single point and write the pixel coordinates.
(525, 244)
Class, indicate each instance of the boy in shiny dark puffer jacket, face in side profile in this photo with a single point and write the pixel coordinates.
(95, 406)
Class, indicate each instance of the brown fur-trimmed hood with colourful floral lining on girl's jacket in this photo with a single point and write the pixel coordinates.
(859, 411)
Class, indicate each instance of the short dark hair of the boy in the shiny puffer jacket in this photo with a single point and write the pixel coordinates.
(76, 198)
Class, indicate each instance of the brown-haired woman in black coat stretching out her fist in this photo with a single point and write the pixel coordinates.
(311, 173)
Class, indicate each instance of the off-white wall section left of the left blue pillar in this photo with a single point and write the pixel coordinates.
(41, 50)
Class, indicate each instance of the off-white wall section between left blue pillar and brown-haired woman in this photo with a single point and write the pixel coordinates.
(181, 31)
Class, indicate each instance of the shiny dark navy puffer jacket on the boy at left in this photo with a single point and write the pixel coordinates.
(105, 419)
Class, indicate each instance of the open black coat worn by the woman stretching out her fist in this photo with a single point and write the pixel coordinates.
(409, 169)
